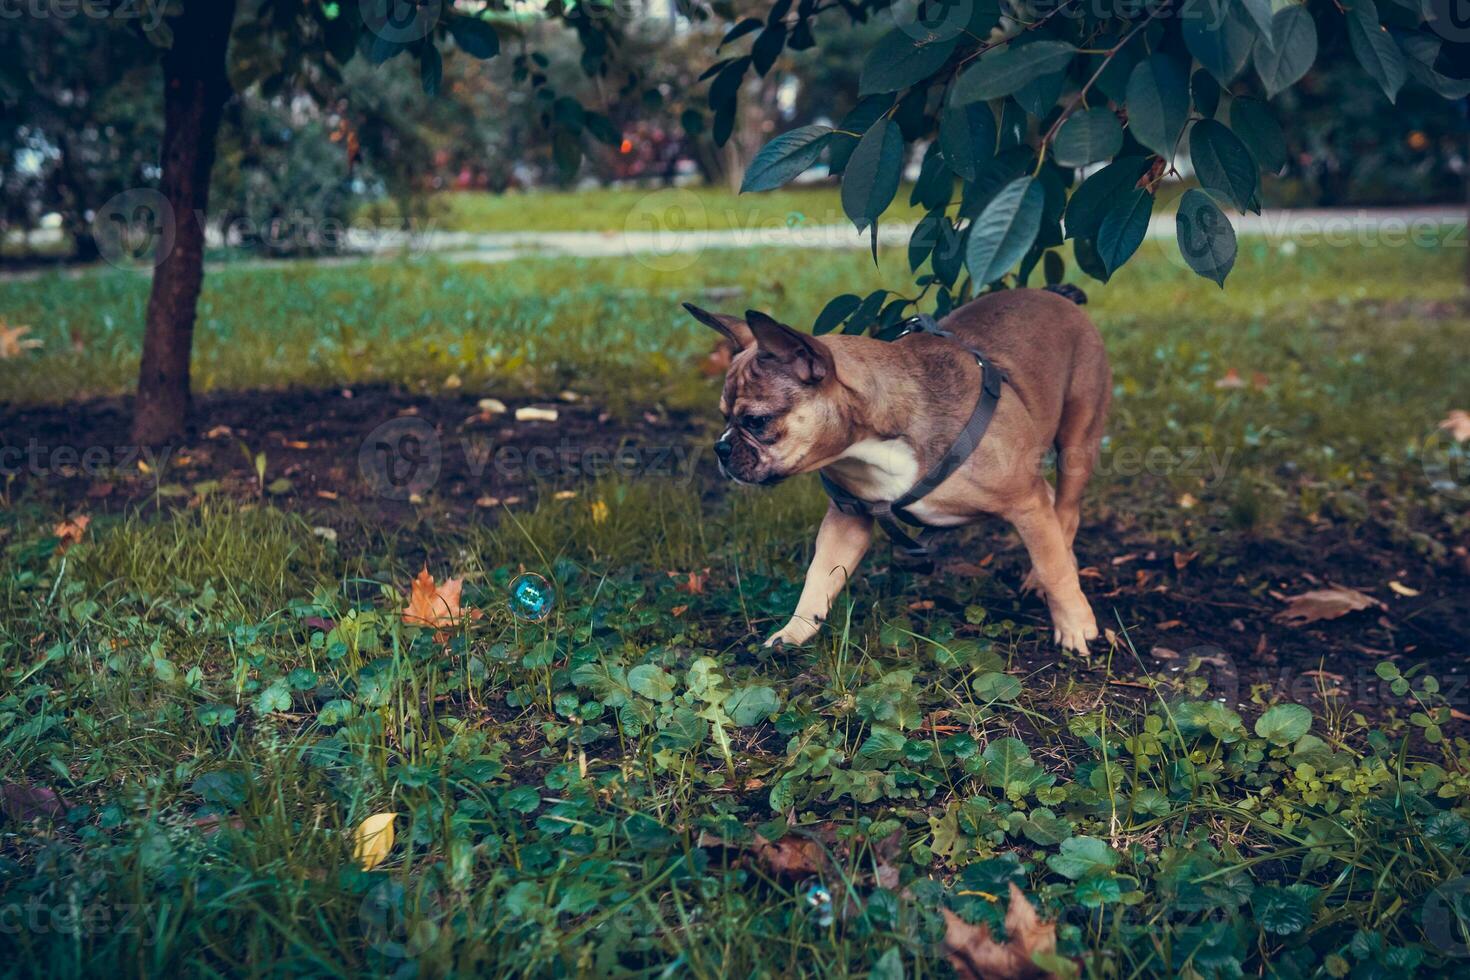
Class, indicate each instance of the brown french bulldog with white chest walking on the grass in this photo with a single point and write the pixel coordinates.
(875, 417)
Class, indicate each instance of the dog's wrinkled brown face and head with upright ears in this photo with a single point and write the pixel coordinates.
(777, 400)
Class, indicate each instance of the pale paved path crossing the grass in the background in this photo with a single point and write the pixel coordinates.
(655, 240)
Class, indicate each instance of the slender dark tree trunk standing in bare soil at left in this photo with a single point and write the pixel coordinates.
(195, 92)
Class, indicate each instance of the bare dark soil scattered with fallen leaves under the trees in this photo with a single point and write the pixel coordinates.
(376, 452)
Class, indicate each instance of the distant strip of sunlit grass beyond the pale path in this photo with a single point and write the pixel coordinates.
(699, 208)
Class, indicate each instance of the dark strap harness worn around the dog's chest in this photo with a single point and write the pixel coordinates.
(889, 514)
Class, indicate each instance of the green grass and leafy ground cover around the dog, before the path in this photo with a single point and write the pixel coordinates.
(220, 696)
